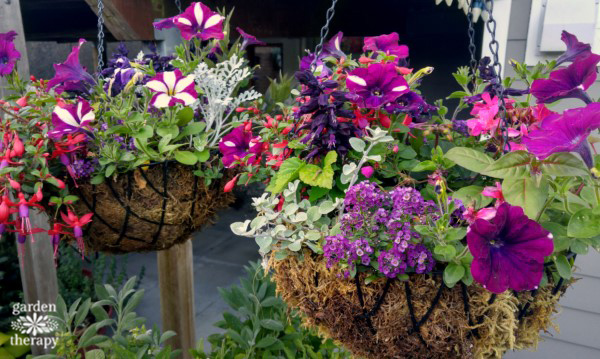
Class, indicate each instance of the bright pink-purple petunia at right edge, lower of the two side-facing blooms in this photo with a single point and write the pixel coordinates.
(565, 133)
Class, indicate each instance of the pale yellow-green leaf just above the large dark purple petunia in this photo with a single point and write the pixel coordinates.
(525, 192)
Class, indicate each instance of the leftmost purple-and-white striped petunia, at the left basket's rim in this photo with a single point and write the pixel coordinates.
(71, 119)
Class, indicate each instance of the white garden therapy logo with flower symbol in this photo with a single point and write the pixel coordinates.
(34, 325)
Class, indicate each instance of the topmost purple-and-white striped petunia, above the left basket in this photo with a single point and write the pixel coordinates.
(198, 20)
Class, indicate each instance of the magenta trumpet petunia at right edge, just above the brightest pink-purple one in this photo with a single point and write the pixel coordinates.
(570, 82)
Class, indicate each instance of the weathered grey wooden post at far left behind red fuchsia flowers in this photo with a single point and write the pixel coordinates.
(38, 274)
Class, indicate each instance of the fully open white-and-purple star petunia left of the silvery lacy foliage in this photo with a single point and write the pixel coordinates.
(171, 88)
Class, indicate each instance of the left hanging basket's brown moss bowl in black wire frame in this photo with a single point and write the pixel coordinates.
(150, 209)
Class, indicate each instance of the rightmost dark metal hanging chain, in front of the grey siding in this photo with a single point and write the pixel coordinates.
(497, 66)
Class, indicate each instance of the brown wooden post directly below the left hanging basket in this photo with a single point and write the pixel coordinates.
(176, 281)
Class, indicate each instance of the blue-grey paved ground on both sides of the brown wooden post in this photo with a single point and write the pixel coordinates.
(219, 257)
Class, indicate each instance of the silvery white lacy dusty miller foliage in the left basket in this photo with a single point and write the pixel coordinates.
(219, 85)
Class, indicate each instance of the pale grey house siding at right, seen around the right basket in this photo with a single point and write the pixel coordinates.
(579, 318)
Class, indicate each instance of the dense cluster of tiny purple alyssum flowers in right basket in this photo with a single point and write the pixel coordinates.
(376, 227)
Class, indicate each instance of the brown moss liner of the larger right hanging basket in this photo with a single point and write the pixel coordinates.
(333, 306)
